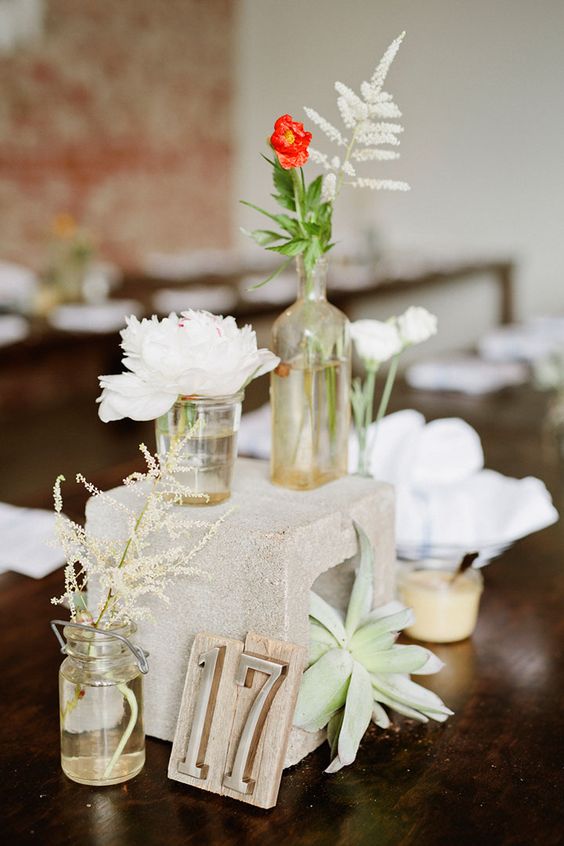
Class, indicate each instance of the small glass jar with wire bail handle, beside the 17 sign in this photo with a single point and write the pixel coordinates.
(101, 704)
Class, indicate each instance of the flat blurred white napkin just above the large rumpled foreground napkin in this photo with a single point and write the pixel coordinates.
(465, 374)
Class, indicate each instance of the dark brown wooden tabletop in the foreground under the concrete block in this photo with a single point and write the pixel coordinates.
(492, 774)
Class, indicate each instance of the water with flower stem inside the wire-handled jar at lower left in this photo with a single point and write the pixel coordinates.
(102, 734)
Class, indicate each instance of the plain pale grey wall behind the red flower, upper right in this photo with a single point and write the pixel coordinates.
(479, 84)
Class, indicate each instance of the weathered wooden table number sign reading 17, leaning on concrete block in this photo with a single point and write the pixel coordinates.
(236, 715)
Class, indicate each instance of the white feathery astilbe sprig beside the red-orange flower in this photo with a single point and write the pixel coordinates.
(366, 116)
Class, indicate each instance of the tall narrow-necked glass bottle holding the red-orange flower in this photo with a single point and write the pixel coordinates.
(310, 388)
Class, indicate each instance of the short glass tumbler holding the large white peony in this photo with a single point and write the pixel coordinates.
(203, 431)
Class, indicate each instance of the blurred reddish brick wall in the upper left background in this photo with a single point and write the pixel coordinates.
(120, 116)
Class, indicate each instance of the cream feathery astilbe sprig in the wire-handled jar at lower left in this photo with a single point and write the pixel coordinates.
(160, 546)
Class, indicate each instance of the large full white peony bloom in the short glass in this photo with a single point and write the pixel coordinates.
(197, 354)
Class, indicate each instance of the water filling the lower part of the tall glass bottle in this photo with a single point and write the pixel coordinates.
(310, 424)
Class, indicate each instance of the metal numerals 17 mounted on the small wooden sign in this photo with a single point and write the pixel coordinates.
(239, 778)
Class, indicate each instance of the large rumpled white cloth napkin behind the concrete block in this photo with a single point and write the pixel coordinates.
(446, 502)
